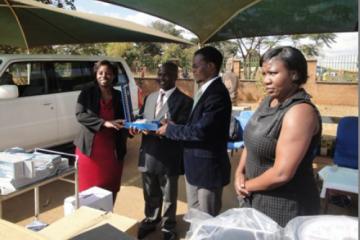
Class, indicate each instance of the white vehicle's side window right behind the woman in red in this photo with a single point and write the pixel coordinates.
(73, 76)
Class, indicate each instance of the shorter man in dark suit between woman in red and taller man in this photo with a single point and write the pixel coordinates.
(160, 158)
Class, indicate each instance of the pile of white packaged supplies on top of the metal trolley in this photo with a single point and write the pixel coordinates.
(19, 168)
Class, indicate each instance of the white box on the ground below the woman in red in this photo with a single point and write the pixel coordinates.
(94, 197)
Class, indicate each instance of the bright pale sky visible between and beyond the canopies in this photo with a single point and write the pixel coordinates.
(346, 43)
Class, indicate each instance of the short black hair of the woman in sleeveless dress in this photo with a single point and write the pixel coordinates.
(293, 59)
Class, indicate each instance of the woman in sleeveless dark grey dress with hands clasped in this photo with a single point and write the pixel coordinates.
(275, 174)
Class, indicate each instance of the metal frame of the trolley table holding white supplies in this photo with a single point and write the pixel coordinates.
(36, 185)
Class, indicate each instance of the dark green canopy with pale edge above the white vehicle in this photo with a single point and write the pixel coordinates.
(30, 23)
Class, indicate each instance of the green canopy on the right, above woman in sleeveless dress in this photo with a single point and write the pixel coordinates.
(215, 20)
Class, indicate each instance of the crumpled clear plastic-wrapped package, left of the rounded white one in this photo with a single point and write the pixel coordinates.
(234, 224)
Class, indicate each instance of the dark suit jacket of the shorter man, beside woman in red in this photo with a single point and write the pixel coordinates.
(160, 155)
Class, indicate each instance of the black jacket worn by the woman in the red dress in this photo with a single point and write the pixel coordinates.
(87, 114)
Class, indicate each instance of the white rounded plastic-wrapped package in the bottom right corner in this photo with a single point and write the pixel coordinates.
(322, 227)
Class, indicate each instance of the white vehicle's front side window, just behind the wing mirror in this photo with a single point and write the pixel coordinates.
(30, 77)
